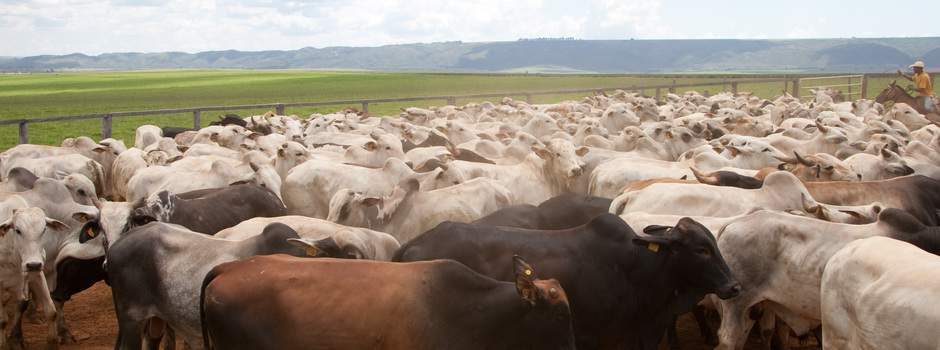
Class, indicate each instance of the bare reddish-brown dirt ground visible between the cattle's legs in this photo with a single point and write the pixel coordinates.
(90, 314)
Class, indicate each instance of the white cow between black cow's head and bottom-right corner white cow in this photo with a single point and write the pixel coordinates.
(779, 258)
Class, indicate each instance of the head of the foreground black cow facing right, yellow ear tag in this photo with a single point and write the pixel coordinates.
(695, 254)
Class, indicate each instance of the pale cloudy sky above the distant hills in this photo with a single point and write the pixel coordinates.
(59, 27)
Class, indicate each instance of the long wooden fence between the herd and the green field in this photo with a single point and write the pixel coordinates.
(792, 84)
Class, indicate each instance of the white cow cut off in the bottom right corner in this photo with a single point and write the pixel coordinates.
(881, 293)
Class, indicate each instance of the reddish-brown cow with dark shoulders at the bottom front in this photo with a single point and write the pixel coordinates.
(281, 302)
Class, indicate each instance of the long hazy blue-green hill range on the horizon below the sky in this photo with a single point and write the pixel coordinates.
(854, 55)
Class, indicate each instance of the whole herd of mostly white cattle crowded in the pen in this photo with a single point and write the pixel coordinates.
(586, 224)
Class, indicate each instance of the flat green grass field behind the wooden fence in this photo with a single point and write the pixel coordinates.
(55, 95)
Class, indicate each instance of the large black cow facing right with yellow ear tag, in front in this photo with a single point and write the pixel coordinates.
(624, 288)
